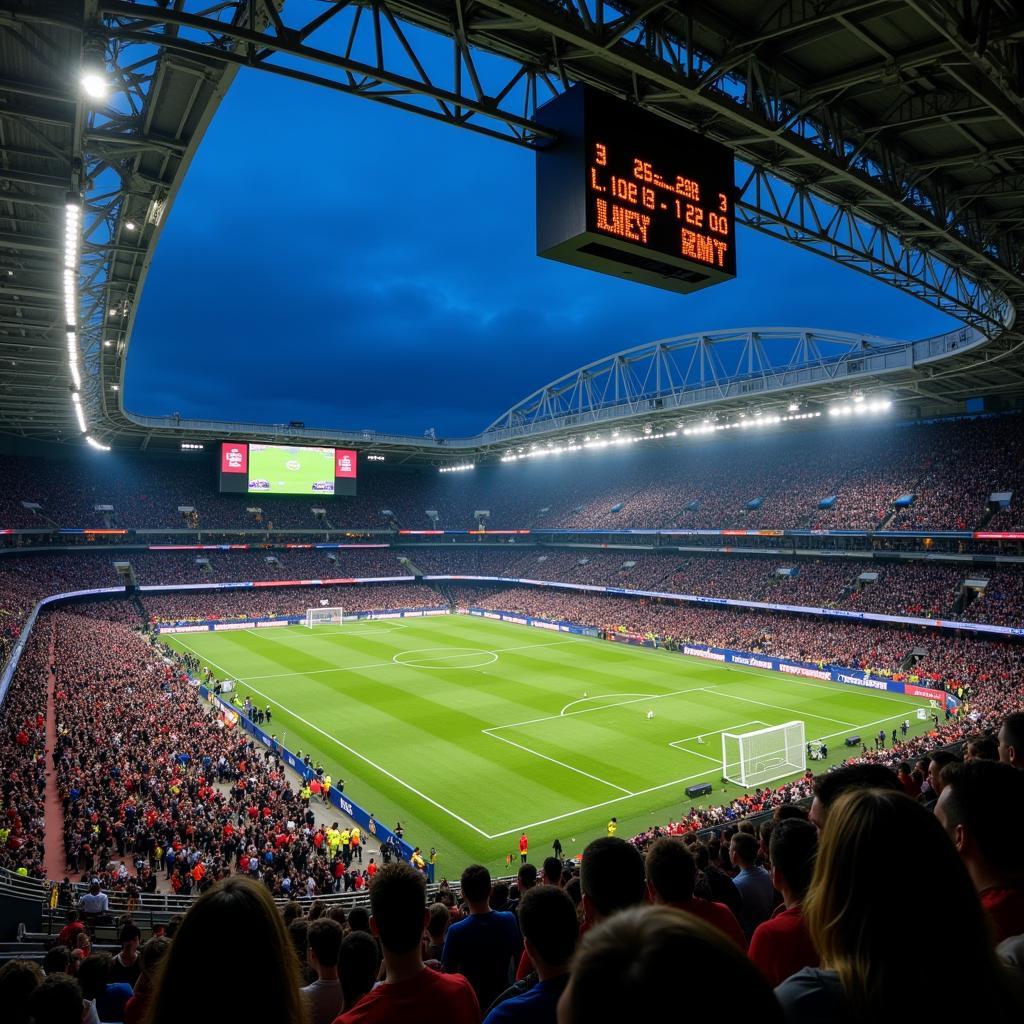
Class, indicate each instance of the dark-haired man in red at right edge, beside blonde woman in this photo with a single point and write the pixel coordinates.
(983, 808)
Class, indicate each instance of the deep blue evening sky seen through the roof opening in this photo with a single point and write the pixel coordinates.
(335, 262)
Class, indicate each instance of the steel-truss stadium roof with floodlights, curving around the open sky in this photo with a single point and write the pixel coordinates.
(886, 137)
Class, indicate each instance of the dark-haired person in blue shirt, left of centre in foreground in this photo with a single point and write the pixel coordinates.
(486, 946)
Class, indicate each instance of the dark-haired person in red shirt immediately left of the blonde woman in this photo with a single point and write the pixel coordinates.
(782, 946)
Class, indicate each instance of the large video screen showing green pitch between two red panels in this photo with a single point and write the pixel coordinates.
(287, 470)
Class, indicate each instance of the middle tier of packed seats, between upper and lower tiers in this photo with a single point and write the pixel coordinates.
(988, 593)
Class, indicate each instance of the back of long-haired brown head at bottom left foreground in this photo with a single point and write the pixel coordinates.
(236, 912)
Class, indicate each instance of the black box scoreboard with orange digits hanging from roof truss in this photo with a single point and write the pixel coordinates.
(628, 194)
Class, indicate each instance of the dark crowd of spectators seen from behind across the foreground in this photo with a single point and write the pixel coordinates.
(793, 922)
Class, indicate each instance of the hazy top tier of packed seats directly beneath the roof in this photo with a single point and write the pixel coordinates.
(751, 480)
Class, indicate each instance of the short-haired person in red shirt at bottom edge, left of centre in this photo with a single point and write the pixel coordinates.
(410, 991)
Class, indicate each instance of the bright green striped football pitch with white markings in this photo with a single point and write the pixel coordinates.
(472, 732)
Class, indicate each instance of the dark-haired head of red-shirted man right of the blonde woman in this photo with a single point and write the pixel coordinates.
(987, 799)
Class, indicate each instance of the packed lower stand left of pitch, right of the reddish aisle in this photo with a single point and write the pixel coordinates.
(159, 792)
